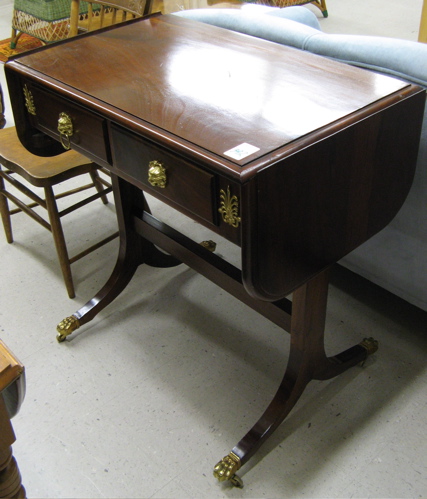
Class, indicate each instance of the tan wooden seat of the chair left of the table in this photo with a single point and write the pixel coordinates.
(37, 170)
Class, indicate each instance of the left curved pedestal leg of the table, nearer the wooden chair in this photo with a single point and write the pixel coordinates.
(134, 250)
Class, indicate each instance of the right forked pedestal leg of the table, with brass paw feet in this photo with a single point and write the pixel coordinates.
(307, 361)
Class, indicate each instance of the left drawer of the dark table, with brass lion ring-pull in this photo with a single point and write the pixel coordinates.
(87, 132)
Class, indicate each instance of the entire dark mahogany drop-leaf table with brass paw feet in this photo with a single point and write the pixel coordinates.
(295, 158)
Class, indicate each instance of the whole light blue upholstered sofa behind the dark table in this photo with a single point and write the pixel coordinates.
(396, 258)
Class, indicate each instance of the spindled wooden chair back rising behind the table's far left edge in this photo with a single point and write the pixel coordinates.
(105, 13)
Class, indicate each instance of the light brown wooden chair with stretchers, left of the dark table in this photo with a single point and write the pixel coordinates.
(45, 173)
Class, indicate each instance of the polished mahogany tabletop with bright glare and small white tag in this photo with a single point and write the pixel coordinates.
(216, 92)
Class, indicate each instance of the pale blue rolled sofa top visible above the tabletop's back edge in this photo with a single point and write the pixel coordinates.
(298, 27)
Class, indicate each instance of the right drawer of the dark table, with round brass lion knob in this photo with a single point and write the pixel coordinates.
(167, 176)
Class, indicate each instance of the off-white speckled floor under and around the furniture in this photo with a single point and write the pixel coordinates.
(150, 395)
